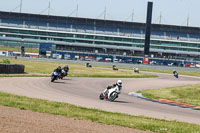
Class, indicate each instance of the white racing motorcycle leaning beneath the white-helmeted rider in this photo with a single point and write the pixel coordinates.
(110, 94)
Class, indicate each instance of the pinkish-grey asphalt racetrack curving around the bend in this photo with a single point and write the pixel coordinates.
(85, 92)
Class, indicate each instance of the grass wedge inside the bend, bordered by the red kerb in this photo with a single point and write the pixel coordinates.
(189, 94)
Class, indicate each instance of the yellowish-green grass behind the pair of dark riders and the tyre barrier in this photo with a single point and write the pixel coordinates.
(76, 70)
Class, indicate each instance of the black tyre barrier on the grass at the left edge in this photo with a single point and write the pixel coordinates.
(11, 68)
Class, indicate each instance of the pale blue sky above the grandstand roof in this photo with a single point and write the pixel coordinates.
(172, 12)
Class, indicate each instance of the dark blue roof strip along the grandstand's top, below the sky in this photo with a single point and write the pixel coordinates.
(96, 22)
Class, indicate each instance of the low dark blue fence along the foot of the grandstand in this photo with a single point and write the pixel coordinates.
(121, 59)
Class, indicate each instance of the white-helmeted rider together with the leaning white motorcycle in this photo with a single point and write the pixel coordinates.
(111, 92)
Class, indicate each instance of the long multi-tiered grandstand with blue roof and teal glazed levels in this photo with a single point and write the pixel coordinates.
(99, 37)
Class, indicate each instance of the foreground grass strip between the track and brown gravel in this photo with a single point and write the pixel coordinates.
(57, 108)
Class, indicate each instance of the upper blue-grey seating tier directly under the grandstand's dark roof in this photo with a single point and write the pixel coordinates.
(98, 29)
